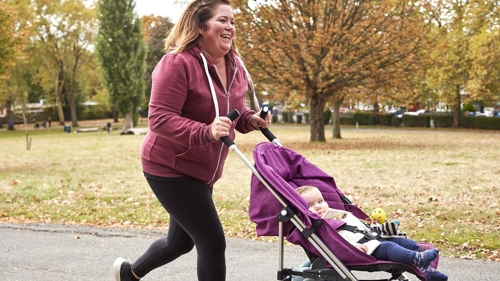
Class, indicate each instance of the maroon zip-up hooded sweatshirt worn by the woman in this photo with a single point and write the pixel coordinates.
(179, 141)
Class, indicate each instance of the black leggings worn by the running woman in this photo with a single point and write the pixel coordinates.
(193, 221)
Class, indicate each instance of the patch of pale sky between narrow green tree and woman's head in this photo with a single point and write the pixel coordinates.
(165, 8)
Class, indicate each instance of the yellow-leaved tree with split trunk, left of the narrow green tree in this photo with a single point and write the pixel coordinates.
(64, 32)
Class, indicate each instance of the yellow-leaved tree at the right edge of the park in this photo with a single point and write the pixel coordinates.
(468, 55)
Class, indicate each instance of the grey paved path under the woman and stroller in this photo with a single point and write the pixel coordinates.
(53, 252)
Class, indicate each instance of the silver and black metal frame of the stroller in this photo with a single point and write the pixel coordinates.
(319, 270)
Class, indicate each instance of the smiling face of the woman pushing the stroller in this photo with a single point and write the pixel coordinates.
(217, 35)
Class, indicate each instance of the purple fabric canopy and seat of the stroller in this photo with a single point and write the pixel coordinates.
(284, 170)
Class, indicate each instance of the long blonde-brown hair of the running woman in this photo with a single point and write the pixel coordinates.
(185, 33)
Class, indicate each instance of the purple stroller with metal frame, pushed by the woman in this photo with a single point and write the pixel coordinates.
(279, 211)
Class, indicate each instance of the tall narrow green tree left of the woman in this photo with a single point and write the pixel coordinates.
(121, 54)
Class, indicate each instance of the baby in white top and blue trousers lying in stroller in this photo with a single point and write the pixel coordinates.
(402, 250)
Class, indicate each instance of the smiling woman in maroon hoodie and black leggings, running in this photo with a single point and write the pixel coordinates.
(199, 81)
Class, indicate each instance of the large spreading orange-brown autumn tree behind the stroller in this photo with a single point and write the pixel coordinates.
(325, 49)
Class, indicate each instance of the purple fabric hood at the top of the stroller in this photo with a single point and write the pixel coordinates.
(285, 170)
